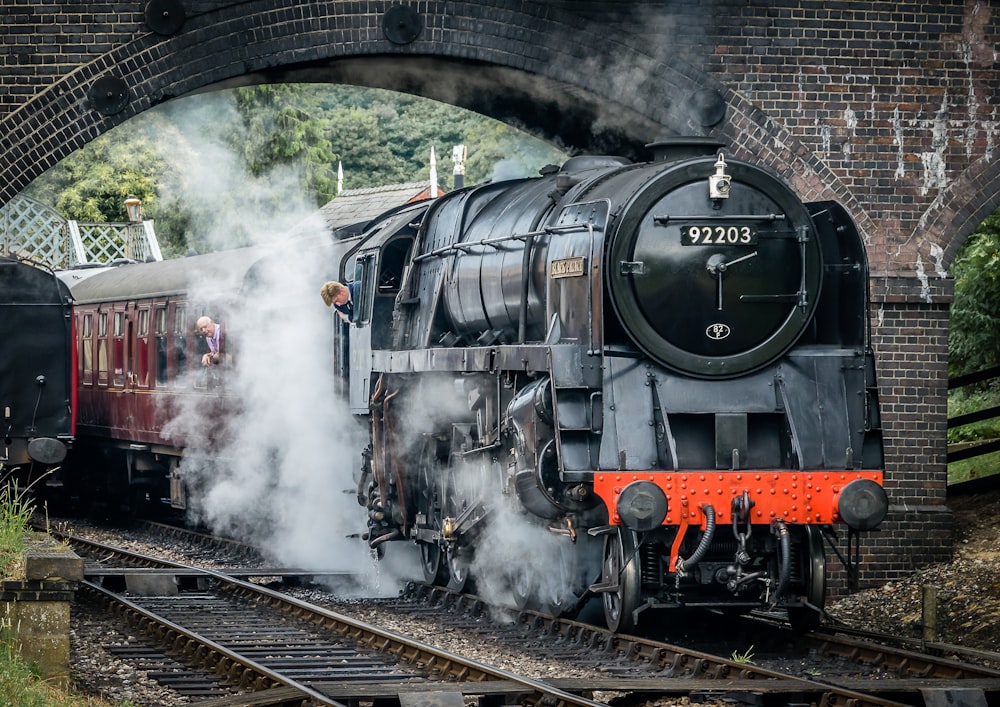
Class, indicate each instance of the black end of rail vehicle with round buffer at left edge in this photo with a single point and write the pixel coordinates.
(37, 384)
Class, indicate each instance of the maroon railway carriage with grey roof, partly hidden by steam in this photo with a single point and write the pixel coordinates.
(139, 362)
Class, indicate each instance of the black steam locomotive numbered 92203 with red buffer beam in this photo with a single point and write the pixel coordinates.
(664, 365)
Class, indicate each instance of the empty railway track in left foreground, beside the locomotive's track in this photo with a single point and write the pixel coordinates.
(252, 638)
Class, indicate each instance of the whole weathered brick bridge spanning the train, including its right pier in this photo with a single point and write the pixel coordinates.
(887, 108)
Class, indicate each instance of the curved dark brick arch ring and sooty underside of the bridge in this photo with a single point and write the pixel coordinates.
(535, 69)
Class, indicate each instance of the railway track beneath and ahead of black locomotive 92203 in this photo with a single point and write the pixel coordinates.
(879, 671)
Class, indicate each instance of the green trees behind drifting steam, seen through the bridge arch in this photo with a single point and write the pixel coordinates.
(214, 170)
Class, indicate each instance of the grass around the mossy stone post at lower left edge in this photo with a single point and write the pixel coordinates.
(20, 683)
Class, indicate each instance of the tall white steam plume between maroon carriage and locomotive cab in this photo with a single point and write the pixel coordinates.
(280, 470)
